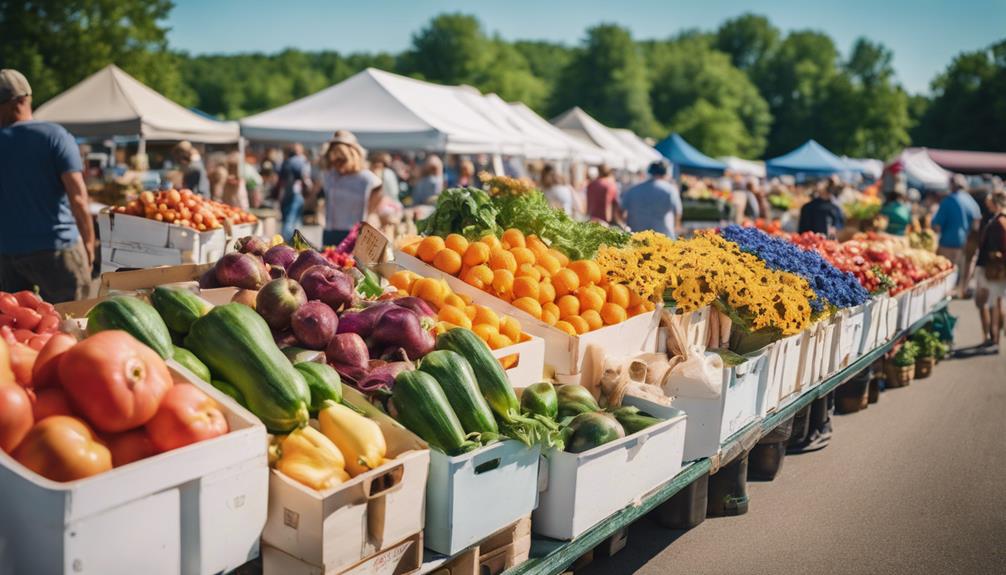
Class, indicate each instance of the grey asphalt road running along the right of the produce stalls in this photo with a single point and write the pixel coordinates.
(916, 484)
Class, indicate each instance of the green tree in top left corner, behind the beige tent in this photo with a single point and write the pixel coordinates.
(59, 44)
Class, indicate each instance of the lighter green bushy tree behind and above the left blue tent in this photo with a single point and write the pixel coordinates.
(693, 85)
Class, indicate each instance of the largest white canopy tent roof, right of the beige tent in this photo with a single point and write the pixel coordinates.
(385, 111)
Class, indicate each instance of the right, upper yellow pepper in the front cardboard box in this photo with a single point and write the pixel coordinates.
(360, 438)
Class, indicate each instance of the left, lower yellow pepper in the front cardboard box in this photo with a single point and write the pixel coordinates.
(308, 457)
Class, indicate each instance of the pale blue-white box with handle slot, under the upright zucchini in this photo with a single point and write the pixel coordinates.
(472, 496)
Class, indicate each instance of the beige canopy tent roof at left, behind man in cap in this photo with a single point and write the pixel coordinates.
(111, 103)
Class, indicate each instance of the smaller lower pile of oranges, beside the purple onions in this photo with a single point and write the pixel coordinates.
(457, 310)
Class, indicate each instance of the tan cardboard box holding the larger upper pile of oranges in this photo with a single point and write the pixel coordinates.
(564, 353)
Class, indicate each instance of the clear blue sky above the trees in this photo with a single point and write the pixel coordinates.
(925, 35)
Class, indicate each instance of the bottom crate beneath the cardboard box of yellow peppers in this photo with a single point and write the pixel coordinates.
(399, 559)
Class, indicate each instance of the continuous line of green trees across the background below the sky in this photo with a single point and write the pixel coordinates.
(745, 89)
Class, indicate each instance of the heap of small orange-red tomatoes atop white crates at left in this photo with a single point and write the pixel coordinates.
(184, 208)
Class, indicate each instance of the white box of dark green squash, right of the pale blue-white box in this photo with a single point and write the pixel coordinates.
(582, 490)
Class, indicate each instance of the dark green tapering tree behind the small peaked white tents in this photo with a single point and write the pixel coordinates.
(607, 78)
